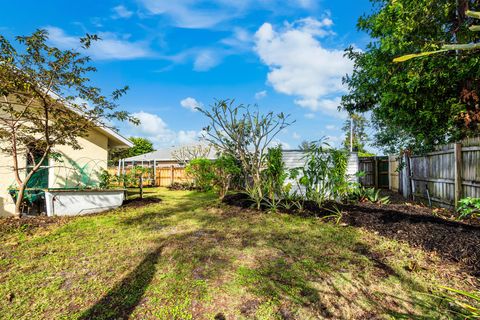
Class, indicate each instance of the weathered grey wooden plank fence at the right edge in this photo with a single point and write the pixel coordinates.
(444, 176)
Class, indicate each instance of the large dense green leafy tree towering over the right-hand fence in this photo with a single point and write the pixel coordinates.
(424, 101)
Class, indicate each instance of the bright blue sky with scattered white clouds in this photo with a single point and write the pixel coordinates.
(286, 56)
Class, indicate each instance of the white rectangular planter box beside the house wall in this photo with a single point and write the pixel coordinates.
(78, 202)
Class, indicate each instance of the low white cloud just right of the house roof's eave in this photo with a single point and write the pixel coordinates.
(155, 129)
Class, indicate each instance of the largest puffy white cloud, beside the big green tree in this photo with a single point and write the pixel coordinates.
(300, 66)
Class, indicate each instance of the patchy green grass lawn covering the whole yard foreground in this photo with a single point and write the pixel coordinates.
(188, 257)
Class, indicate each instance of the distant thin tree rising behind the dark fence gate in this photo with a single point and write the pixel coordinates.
(359, 137)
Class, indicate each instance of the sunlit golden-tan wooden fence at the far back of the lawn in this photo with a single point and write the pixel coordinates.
(161, 176)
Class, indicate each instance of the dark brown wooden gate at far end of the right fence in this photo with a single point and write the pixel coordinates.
(376, 171)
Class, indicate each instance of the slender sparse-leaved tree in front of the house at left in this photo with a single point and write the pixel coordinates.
(47, 101)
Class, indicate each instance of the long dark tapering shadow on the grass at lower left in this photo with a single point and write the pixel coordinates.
(122, 299)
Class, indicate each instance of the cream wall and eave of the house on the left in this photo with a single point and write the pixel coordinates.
(75, 169)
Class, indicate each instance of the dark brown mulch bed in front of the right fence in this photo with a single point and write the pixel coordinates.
(415, 224)
